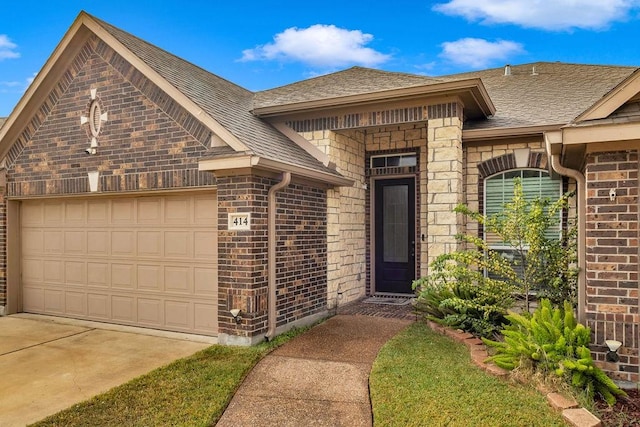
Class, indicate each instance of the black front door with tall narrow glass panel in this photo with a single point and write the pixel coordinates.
(395, 227)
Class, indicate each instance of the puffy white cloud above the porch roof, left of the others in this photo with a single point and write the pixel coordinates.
(319, 45)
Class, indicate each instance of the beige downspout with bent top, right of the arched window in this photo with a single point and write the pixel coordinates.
(582, 199)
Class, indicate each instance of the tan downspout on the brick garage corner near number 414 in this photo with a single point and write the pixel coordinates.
(271, 254)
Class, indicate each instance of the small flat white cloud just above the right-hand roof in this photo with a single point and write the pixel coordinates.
(479, 53)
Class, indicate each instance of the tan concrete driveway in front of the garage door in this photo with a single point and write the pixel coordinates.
(47, 366)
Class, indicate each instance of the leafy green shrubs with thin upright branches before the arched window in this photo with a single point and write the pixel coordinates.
(473, 288)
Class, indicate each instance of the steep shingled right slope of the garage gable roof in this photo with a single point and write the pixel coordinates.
(229, 104)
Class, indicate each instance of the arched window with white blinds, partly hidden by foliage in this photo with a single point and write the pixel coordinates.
(498, 190)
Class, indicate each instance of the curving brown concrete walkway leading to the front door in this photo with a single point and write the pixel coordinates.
(320, 378)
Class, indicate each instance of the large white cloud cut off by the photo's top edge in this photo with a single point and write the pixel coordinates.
(556, 15)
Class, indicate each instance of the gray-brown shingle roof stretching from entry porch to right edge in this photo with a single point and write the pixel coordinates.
(556, 94)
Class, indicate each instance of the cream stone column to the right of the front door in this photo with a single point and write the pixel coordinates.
(444, 178)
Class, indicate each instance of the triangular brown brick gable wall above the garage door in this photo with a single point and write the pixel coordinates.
(147, 141)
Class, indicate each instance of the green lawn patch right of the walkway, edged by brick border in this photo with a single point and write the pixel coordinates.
(422, 378)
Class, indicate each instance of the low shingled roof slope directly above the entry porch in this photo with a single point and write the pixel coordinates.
(352, 81)
